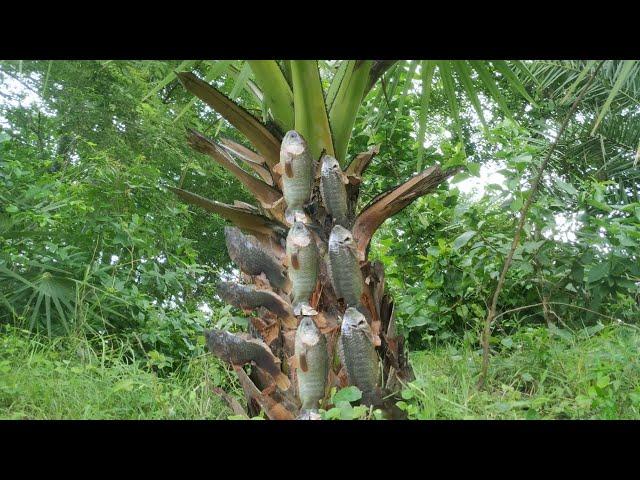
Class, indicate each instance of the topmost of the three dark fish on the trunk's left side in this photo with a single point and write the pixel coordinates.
(254, 258)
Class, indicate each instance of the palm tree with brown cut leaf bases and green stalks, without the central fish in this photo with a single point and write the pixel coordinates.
(297, 103)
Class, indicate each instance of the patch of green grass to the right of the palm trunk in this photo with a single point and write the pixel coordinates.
(535, 374)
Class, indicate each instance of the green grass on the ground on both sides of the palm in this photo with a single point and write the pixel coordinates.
(536, 373)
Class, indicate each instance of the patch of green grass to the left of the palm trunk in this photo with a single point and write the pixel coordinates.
(70, 379)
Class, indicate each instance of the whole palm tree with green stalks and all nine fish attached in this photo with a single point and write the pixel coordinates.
(321, 318)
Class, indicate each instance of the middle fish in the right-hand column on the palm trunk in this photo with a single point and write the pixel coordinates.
(344, 267)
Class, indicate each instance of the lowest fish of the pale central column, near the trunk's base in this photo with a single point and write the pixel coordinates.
(313, 360)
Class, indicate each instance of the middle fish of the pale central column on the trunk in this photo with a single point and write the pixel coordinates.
(302, 253)
